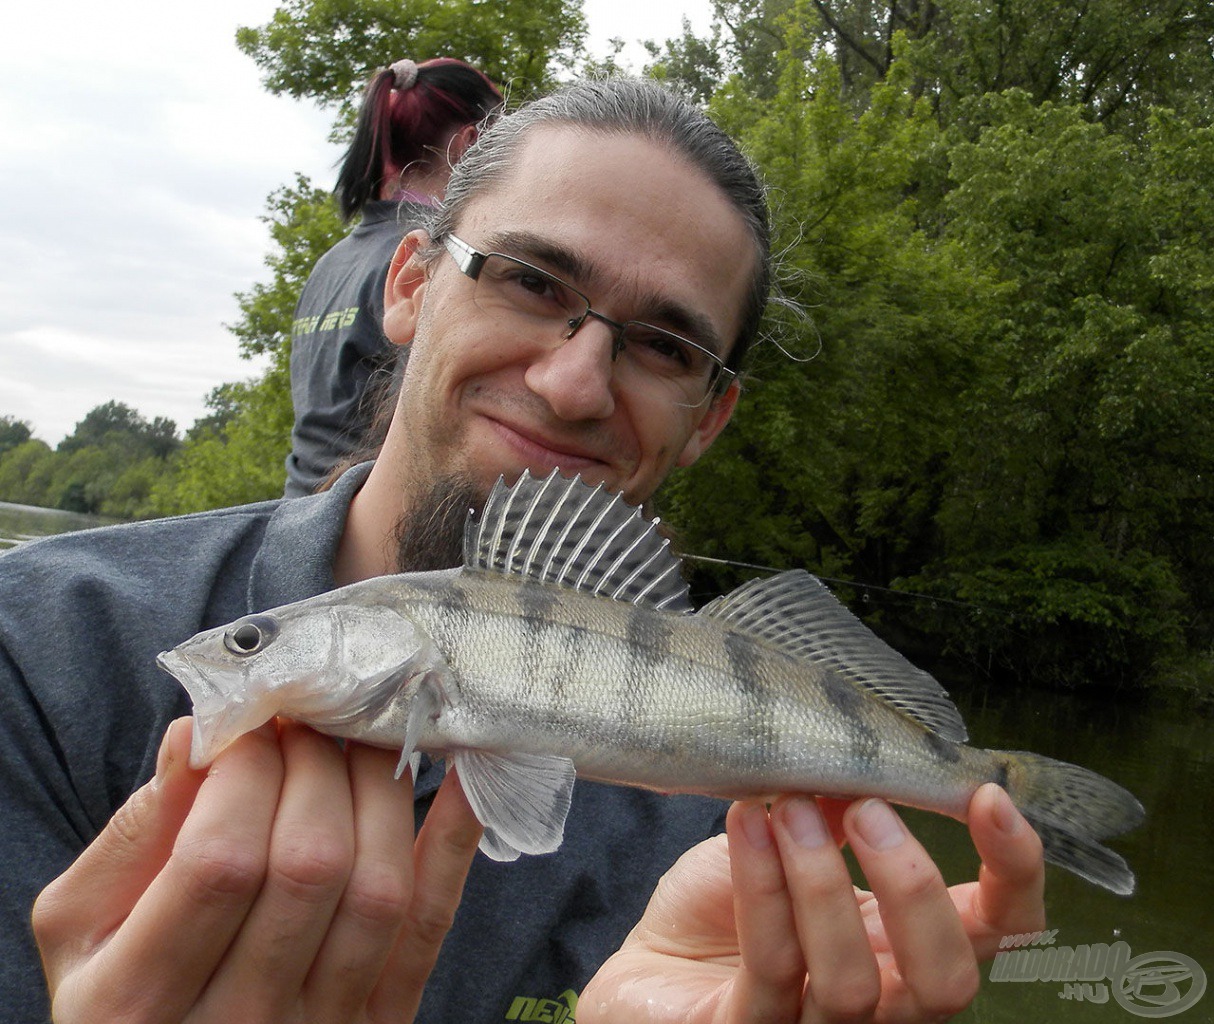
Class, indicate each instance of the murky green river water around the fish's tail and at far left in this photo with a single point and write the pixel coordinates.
(1162, 751)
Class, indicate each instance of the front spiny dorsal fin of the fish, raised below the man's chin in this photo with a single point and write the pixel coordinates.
(566, 533)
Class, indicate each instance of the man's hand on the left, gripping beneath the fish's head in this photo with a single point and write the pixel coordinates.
(282, 884)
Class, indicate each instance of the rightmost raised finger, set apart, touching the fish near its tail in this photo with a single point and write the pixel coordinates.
(1009, 898)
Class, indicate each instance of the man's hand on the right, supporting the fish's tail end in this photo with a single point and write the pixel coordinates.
(765, 926)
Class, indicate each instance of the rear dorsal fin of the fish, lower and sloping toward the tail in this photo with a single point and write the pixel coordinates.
(797, 614)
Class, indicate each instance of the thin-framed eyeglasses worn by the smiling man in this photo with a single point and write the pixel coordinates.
(543, 308)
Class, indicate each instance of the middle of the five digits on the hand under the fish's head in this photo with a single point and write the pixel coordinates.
(311, 857)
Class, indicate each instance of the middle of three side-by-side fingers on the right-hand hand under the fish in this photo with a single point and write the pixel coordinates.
(844, 982)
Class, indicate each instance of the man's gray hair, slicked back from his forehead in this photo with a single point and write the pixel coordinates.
(626, 106)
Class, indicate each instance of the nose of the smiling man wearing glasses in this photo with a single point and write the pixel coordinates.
(576, 377)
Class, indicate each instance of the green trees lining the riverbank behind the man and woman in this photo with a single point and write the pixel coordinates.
(989, 398)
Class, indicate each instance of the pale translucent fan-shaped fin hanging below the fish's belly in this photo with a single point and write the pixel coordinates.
(521, 800)
